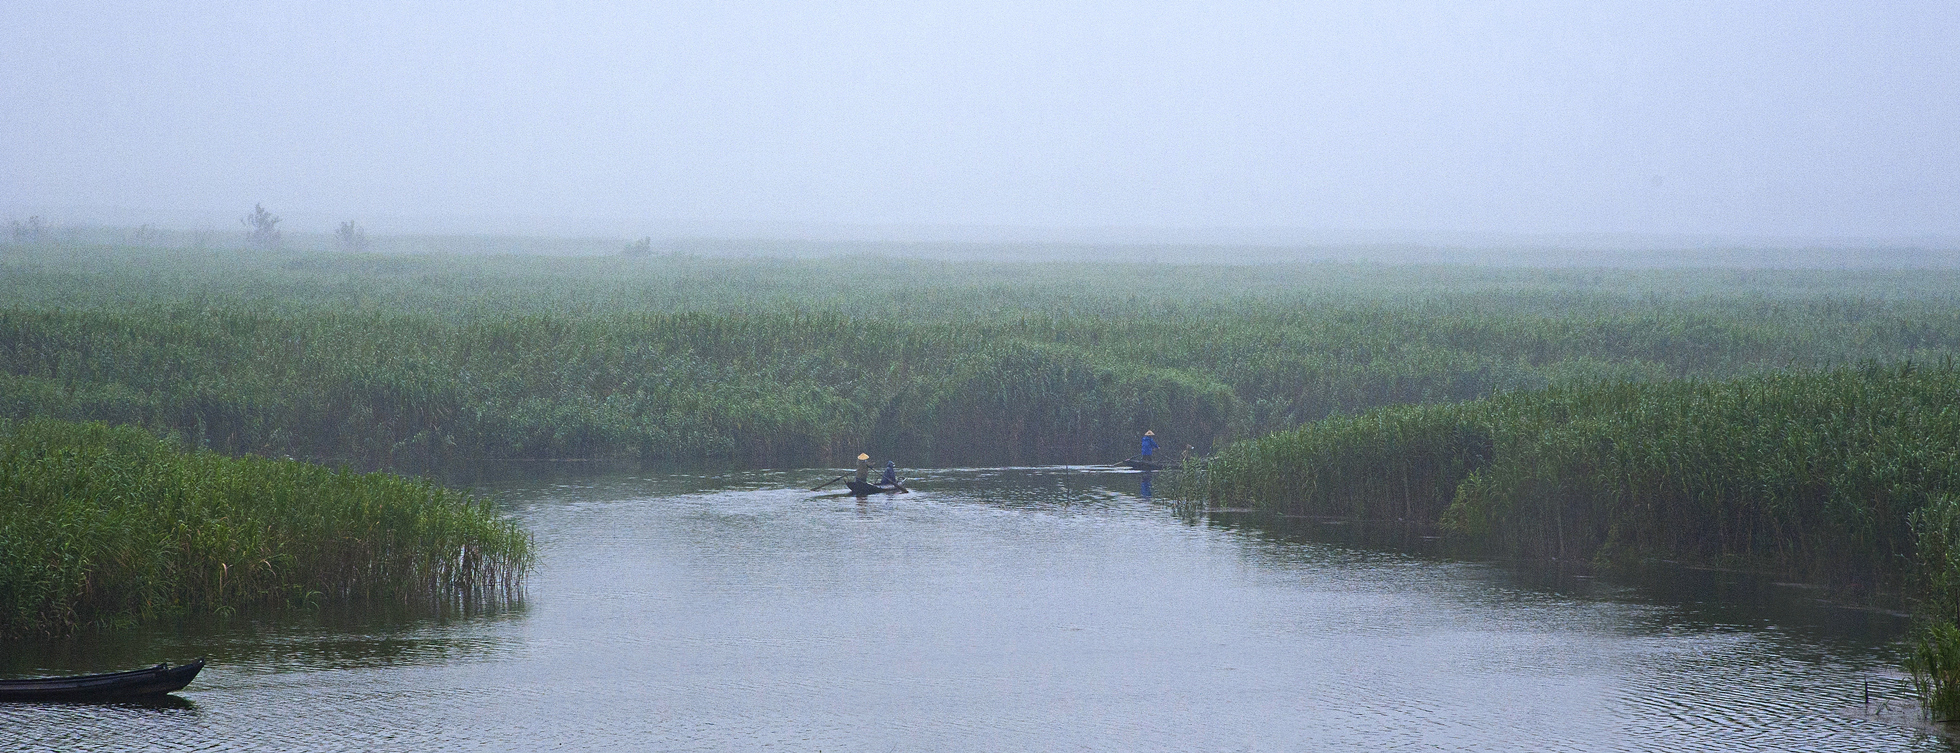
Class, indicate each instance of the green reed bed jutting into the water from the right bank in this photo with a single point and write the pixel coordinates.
(1830, 476)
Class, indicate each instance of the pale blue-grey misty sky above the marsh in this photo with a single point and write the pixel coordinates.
(1745, 119)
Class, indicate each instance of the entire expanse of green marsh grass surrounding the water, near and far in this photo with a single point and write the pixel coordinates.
(1743, 419)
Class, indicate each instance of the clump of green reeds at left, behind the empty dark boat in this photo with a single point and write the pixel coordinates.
(107, 525)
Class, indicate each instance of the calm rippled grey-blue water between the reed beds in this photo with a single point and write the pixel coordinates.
(1003, 611)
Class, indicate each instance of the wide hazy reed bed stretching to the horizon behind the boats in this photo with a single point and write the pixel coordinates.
(440, 362)
